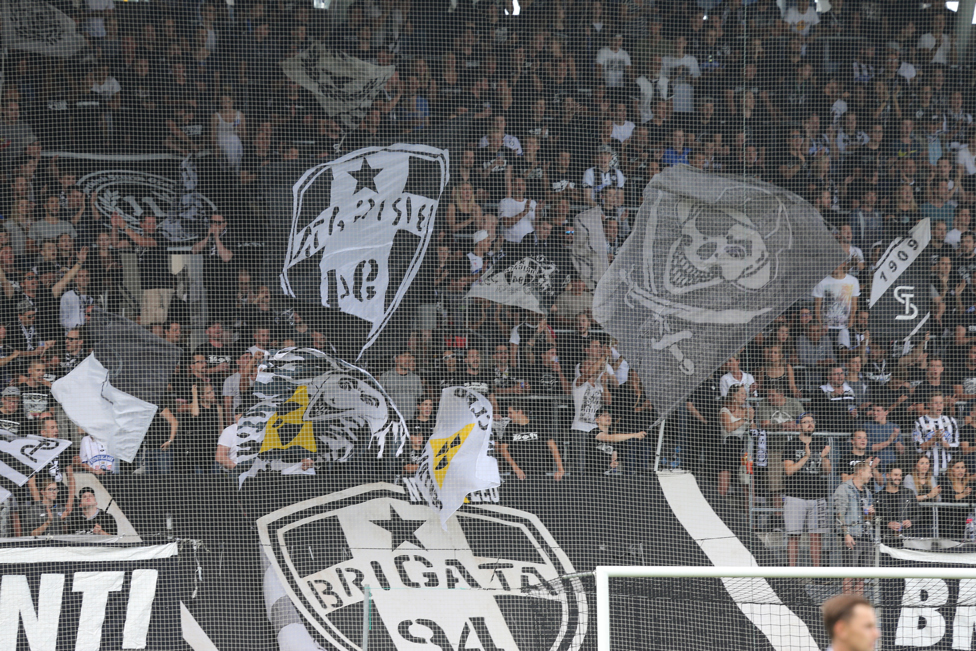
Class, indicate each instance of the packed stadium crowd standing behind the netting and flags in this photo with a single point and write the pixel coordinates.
(864, 109)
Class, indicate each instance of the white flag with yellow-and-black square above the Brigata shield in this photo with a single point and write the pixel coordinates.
(456, 460)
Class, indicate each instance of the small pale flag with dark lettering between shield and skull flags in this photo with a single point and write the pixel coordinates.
(528, 283)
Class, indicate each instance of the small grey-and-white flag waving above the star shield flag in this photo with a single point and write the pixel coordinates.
(344, 85)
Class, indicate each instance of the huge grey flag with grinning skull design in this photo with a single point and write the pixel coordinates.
(713, 259)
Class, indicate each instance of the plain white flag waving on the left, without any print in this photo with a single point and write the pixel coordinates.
(112, 417)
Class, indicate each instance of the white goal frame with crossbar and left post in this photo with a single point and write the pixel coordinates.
(603, 574)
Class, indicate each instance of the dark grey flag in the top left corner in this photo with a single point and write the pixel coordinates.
(39, 27)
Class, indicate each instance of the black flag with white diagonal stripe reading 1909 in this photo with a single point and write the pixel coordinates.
(900, 304)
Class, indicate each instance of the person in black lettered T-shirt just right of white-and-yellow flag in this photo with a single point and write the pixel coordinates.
(529, 451)
